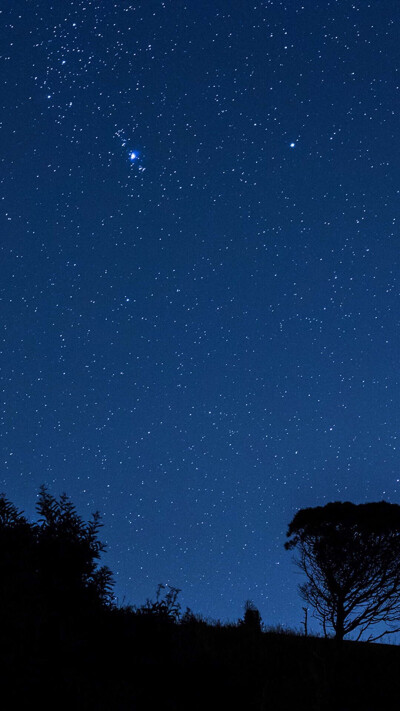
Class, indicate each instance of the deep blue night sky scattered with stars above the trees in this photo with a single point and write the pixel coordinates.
(199, 278)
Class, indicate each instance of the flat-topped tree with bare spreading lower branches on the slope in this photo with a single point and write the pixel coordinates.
(350, 555)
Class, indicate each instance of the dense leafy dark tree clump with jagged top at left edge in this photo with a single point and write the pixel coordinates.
(49, 569)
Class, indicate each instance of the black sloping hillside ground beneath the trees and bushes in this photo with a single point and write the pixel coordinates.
(121, 660)
